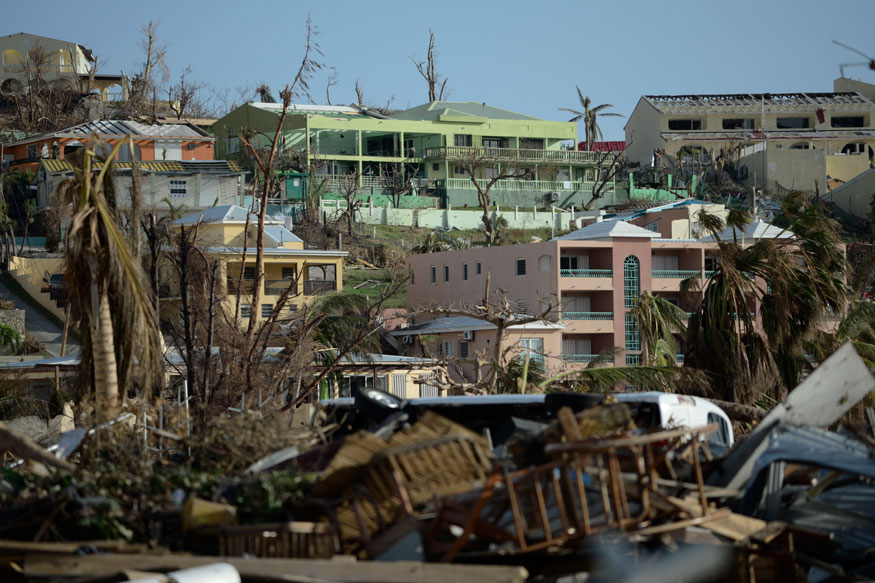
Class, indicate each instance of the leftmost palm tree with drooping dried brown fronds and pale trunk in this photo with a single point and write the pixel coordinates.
(108, 292)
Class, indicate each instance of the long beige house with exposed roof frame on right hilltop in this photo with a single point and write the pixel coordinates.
(780, 140)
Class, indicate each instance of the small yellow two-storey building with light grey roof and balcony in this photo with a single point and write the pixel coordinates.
(222, 235)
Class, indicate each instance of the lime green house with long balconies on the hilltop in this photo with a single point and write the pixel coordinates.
(424, 150)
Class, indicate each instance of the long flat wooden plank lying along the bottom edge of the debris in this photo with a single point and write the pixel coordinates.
(50, 565)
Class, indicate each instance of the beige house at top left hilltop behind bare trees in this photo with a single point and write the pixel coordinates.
(68, 64)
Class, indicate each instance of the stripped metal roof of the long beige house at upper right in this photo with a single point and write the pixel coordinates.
(758, 101)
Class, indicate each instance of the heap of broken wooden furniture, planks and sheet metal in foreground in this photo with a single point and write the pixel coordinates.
(584, 488)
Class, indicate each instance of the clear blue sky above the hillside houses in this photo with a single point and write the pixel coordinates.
(523, 56)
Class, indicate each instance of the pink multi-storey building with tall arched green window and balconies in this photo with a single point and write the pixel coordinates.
(590, 277)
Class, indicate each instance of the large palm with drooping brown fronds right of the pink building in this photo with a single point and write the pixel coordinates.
(792, 283)
